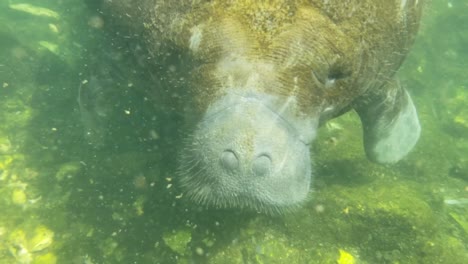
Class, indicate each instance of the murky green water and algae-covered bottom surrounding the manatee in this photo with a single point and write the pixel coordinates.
(64, 201)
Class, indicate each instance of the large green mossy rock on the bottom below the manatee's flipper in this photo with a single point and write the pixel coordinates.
(385, 220)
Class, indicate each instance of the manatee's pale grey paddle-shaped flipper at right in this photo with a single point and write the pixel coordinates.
(390, 123)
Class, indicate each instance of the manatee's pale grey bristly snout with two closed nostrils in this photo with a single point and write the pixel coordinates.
(243, 154)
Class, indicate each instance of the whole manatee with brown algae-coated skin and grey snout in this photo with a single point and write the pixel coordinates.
(256, 79)
